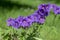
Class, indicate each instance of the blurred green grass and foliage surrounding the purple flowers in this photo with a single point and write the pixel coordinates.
(50, 30)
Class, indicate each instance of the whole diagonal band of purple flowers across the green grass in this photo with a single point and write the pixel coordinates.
(38, 16)
